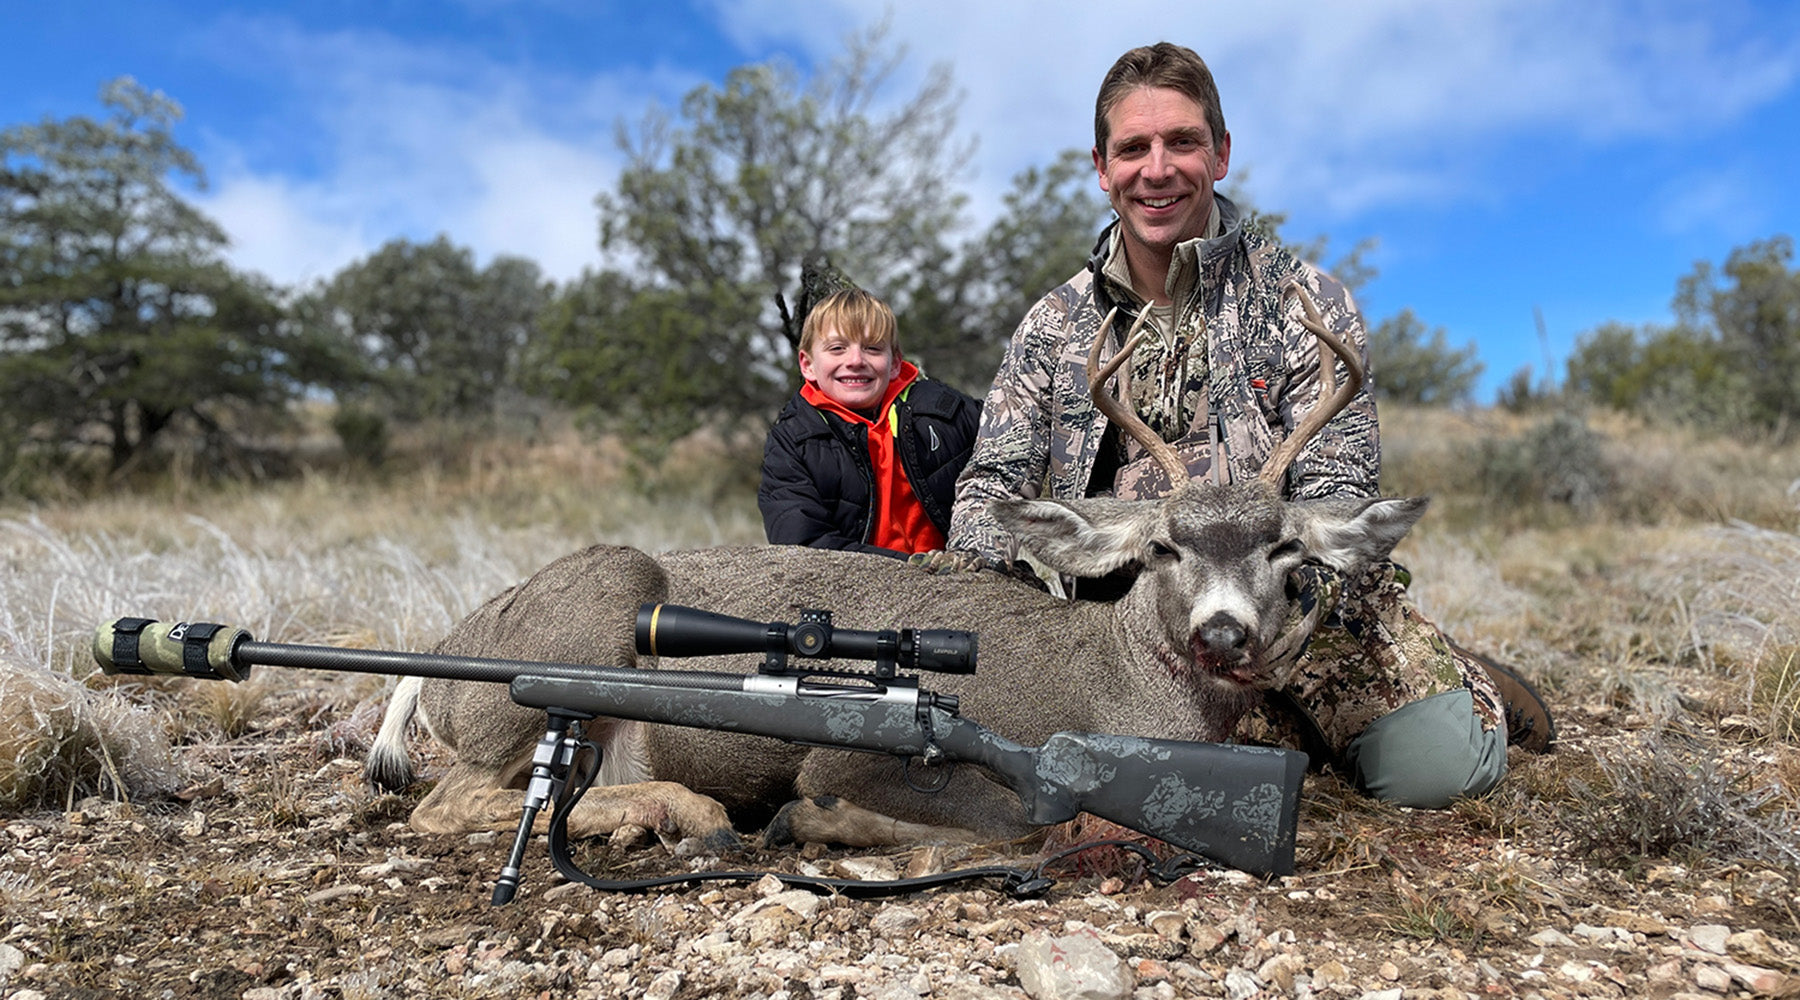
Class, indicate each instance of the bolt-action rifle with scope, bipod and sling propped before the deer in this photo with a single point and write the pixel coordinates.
(1227, 803)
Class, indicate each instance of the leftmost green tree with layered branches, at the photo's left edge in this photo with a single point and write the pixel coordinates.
(118, 314)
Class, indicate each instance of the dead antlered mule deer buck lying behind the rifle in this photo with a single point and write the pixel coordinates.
(1182, 656)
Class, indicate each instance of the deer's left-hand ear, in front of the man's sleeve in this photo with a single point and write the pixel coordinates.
(1081, 537)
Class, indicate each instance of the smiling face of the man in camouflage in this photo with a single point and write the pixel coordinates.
(1160, 168)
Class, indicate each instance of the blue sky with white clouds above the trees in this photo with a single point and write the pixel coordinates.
(1509, 156)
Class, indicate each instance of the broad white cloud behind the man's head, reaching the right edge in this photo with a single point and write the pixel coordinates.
(1345, 107)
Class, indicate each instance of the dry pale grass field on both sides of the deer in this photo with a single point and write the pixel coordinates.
(1664, 623)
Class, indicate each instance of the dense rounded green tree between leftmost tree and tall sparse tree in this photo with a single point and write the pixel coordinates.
(440, 337)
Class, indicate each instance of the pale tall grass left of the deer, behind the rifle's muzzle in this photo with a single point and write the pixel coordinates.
(382, 562)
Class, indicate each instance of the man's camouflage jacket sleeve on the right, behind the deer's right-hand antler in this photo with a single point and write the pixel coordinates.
(1345, 458)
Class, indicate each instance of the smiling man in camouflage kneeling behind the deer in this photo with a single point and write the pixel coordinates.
(1225, 377)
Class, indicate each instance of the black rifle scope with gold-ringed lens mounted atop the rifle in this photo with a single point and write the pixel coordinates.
(672, 630)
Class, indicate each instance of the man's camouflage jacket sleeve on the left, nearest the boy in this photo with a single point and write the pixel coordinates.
(1012, 449)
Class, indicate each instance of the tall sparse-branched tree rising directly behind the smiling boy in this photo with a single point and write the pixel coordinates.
(717, 210)
